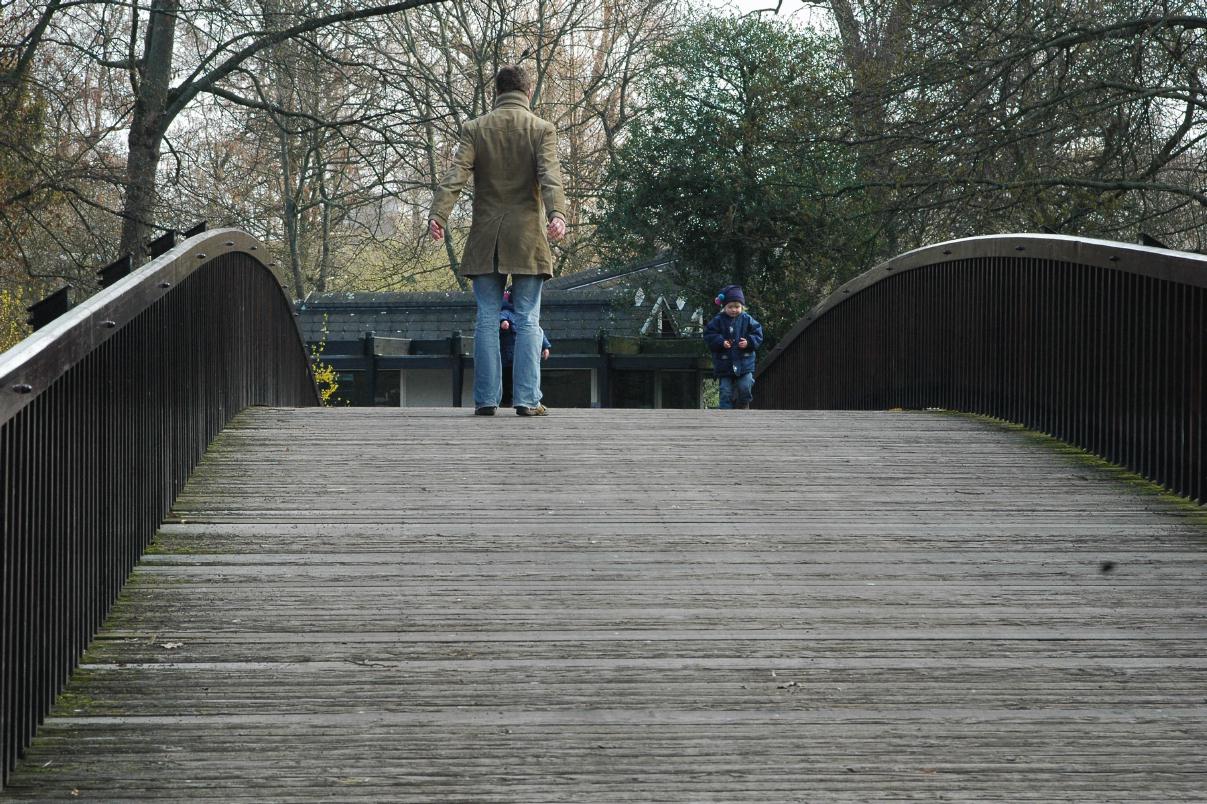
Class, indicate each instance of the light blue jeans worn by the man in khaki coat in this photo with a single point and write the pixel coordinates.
(488, 364)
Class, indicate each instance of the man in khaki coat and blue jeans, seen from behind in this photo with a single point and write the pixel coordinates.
(518, 208)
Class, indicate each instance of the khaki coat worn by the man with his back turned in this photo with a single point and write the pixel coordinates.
(512, 156)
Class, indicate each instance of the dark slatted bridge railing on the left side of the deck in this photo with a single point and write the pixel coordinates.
(103, 416)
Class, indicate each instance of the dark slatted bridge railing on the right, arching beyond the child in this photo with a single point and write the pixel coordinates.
(1101, 345)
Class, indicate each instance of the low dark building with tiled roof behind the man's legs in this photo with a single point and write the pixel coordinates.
(615, 345)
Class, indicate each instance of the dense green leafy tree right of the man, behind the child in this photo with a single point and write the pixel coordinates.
(734, 168)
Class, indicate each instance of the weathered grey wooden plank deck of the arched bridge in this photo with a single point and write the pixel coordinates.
(651, 607)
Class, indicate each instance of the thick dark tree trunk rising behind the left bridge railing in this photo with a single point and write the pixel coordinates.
(148, 129)
